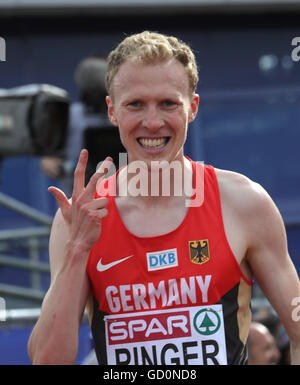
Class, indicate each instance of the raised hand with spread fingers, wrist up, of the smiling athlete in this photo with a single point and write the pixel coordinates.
(83, 213)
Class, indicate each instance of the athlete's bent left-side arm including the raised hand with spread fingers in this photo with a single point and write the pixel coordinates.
(75, 230)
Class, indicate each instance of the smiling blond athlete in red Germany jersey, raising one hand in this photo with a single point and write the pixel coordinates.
(167, 273)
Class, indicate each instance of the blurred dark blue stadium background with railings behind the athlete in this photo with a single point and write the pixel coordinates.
(249, 118)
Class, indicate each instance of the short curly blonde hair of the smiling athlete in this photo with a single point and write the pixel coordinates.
(150, 47)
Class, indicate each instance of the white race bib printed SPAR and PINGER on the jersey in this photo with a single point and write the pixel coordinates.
(183, 336)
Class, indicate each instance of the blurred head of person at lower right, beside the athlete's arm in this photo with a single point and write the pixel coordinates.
(262, 348)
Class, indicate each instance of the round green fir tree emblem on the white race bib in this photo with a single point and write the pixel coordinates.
(207, 322)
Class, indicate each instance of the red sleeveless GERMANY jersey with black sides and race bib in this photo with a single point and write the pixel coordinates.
(178, 298)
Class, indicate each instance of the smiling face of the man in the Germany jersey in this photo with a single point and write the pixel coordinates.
(152, 105)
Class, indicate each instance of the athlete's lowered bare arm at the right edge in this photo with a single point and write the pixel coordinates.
(270, 262)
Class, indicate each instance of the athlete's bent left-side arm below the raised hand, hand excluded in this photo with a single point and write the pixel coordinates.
(54, 339)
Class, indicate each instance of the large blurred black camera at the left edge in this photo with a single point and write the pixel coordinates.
(33, 120)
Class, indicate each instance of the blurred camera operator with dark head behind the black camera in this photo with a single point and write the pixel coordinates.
(89, 112)
